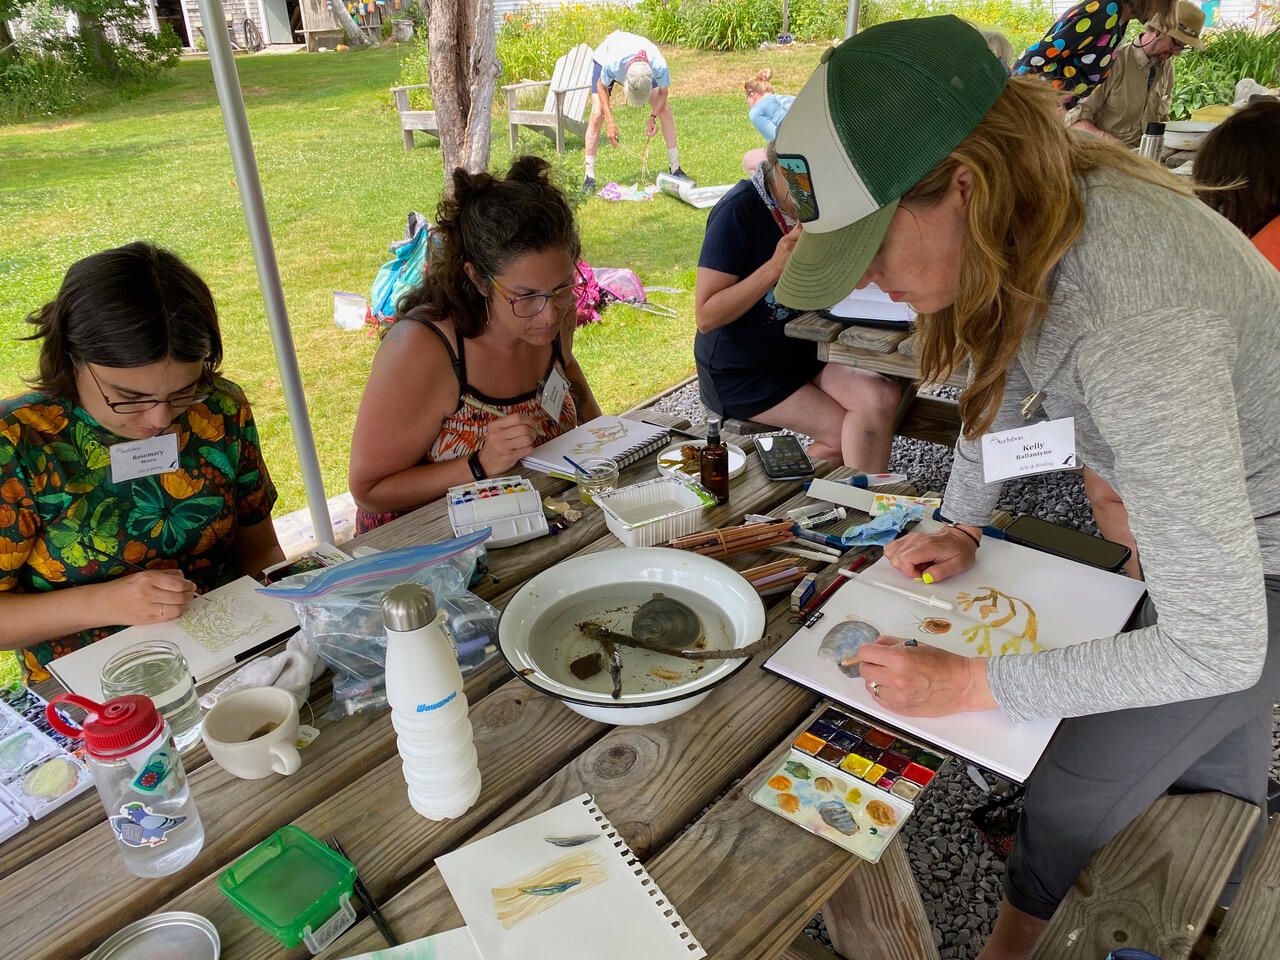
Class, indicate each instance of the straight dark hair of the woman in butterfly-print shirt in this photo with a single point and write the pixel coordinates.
(124, 308)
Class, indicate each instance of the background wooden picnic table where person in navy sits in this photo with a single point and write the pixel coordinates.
(892, 354)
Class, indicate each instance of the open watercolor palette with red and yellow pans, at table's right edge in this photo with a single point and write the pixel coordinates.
(851, 783)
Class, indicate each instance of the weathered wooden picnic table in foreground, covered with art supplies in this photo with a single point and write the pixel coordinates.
(744, 880)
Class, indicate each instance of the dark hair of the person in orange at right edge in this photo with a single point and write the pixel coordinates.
(1241, 157)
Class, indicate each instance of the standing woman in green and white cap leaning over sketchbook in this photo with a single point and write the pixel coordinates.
(1087, 289)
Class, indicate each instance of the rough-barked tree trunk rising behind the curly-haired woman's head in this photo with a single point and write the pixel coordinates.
(464, 67)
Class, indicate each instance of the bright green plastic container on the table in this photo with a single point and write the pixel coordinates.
(295, 888)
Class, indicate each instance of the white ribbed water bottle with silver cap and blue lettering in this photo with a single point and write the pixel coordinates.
(429, 710)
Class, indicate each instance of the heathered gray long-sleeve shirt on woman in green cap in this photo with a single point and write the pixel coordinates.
(1164, 344)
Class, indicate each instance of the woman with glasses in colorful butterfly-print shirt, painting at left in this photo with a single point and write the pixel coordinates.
(129, 353)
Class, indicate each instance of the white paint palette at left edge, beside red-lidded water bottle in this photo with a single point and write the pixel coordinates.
(40, 769)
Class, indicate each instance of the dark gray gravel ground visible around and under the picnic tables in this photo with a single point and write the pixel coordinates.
(959, 877)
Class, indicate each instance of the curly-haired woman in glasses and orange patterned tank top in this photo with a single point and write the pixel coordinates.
(459, 387)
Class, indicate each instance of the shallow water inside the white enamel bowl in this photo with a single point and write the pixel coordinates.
(556, 642)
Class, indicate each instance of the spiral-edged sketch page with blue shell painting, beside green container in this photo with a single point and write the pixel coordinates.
(564, 886)
